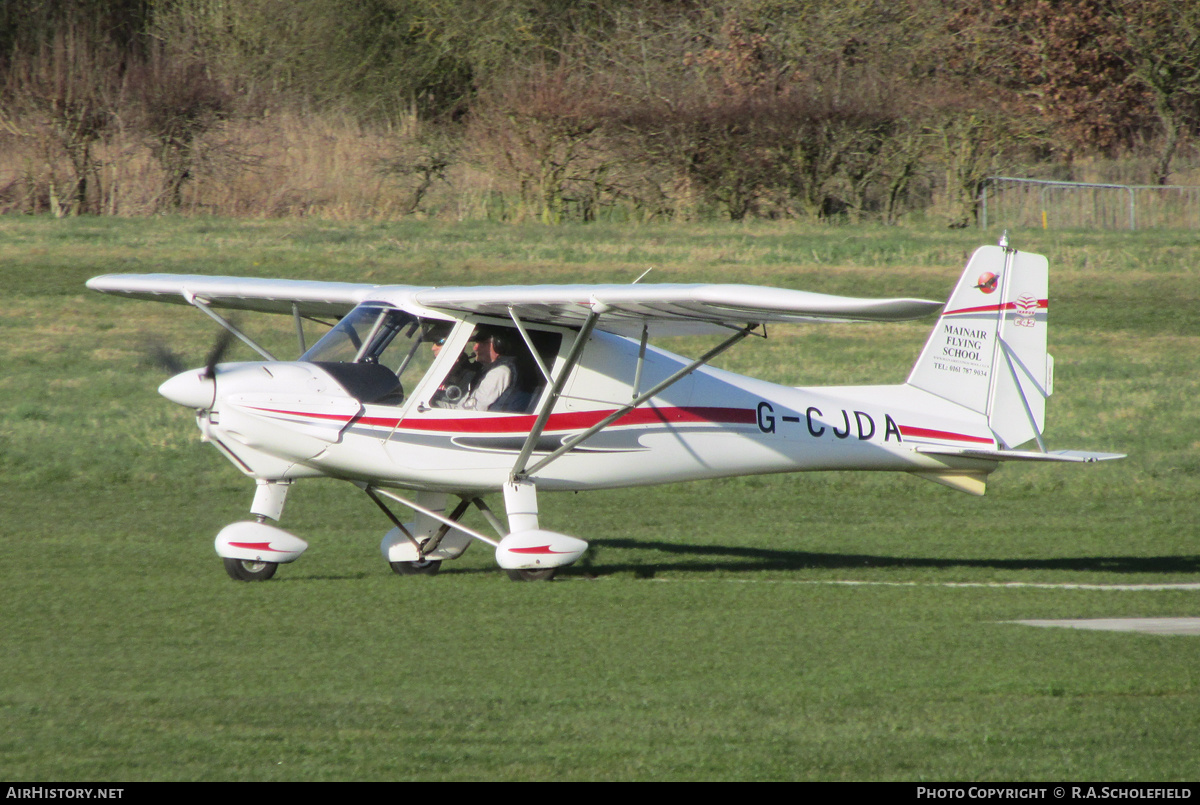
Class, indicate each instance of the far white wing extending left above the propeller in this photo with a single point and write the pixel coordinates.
(311, 298)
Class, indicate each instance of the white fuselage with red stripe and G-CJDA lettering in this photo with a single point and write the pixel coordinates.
(284, 420)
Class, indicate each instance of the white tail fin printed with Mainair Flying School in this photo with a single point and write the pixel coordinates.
(988, 352)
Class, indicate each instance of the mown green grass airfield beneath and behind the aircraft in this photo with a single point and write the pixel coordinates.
(704, 638)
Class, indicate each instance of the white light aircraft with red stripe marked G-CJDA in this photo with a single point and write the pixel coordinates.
(566, 393)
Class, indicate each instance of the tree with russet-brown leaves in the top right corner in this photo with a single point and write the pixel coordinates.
(1108, 75)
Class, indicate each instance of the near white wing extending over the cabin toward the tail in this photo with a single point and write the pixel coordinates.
(669, 309)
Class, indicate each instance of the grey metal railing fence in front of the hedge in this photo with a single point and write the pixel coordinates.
(1011, 202)
